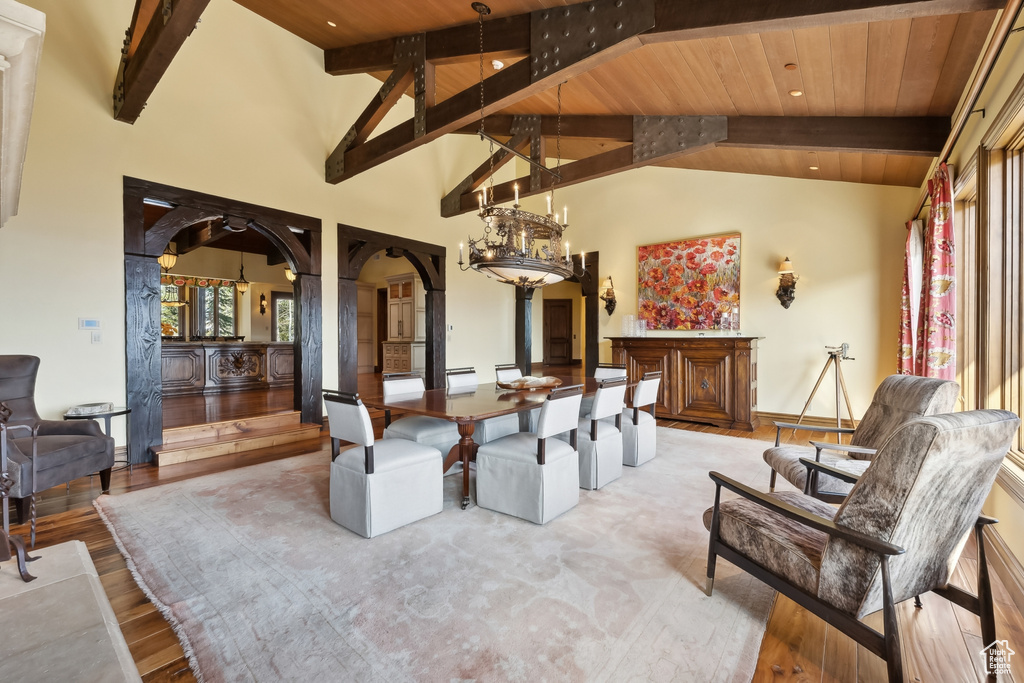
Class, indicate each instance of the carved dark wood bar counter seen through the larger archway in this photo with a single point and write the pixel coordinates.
(217, 367)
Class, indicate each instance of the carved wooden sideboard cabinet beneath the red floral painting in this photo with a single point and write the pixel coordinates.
(704, 379)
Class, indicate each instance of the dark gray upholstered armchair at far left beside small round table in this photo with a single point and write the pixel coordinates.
(37, 454)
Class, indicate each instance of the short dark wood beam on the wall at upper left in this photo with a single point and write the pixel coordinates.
(163, 35)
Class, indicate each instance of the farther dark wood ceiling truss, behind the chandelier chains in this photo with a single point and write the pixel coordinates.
(657, 140)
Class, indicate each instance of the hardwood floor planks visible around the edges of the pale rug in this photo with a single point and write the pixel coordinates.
(941, 643)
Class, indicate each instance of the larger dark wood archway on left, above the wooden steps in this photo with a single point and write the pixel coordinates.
(301, 247)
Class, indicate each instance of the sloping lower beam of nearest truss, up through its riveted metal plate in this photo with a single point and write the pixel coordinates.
(616, 24)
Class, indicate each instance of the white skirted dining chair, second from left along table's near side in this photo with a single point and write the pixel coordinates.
(529, 475)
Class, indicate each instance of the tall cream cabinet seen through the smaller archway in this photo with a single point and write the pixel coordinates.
(405, 350)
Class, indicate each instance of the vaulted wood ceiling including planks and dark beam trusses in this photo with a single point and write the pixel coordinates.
(855, 91)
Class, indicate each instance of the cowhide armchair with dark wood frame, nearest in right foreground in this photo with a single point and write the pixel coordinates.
(899, 535)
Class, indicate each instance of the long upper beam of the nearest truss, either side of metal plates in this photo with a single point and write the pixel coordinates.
(675, 21)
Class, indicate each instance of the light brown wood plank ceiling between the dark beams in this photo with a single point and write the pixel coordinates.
(895, 64)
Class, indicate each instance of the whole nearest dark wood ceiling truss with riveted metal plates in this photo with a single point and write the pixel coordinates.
(560, 45)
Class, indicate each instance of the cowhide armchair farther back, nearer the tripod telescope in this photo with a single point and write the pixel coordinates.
(899, 399)
